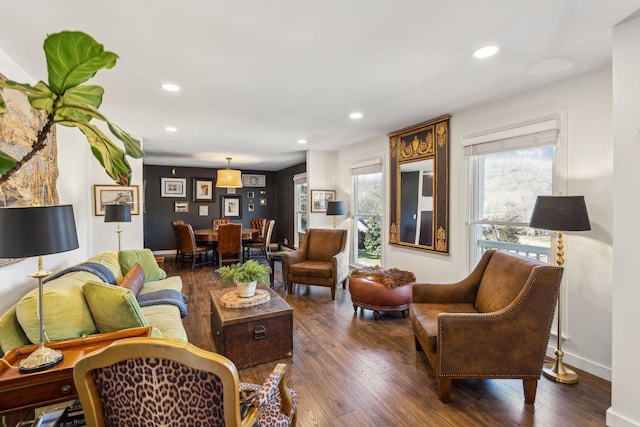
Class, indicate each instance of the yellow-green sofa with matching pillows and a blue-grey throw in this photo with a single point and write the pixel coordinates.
(78, 302)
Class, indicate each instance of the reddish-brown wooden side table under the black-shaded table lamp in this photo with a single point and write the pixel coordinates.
(23, 391)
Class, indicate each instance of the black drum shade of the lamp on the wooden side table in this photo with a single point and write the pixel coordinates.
(34, 231)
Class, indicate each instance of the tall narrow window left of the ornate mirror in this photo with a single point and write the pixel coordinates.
(367, 212)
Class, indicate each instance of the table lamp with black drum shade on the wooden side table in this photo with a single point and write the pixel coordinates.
(37, 231)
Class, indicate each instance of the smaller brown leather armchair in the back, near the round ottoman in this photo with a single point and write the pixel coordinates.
(321, 260)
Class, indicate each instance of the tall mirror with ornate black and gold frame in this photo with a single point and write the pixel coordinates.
(419, 216)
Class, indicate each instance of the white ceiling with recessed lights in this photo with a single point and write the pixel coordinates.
(256, 75)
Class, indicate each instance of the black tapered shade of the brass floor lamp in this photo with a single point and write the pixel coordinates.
(560, 213)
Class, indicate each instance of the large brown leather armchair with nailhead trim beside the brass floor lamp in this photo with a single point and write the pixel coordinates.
(494, 323)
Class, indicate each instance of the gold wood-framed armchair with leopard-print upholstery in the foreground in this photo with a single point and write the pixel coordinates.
(133, 382)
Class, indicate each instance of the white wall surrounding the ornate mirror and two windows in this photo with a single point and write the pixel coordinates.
(585, 101)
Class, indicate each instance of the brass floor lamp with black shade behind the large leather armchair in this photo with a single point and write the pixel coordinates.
(560, 214)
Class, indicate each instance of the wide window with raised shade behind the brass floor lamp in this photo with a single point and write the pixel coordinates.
(506, 176)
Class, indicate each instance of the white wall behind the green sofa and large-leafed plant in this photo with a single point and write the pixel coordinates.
(78, 171)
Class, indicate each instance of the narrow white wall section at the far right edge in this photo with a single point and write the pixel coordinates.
(625, 387)
